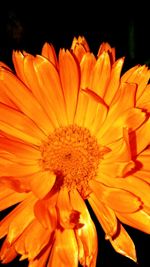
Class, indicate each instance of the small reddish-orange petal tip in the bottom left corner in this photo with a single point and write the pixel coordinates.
(7, 252)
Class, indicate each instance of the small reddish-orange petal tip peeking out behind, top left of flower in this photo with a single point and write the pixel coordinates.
(48, 52)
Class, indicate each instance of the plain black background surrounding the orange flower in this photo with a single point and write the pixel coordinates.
(124, 26)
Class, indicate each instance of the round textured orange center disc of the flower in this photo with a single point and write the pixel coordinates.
(73, 155)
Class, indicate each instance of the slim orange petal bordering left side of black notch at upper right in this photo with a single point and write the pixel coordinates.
(114, 82)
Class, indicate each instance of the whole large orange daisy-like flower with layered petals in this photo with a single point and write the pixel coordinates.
(72, 130)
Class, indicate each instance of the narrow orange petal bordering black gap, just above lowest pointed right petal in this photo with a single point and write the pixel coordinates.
(105, 215)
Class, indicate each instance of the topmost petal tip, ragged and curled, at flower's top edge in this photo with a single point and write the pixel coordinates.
(79, 47)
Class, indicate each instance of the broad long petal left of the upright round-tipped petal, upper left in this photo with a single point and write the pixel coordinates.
(50, 93)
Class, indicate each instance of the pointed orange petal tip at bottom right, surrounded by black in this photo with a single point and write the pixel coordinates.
(124, 245)
